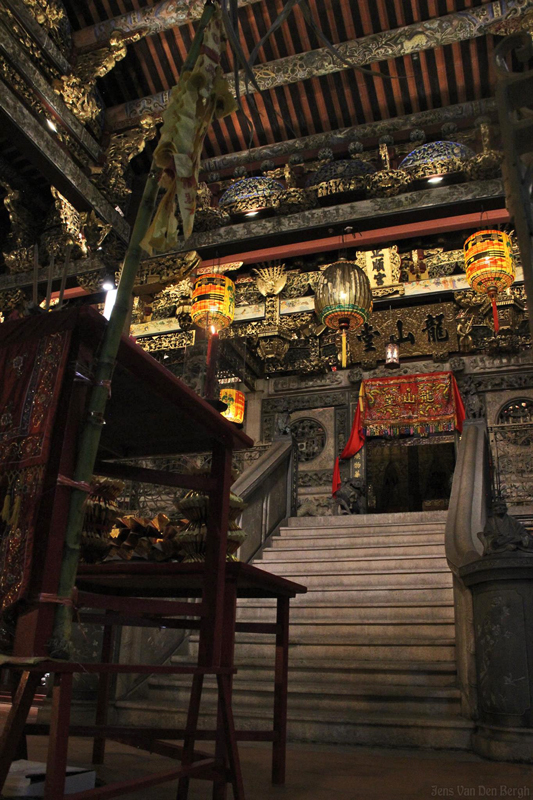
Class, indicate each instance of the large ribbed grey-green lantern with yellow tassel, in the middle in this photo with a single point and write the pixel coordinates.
(343, 299)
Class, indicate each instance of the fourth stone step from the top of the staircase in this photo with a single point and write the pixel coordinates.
(343, 551)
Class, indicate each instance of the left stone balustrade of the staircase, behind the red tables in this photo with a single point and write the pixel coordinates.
(268, 488)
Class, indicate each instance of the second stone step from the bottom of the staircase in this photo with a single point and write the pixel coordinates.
(416, 699)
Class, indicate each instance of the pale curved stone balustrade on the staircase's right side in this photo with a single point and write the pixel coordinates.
(467, 515)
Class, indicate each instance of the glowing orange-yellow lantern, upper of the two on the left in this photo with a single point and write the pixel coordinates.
(213, 301)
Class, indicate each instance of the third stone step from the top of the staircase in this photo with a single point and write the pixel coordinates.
(353, 539)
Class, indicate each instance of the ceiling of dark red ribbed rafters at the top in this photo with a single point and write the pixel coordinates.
(423, 76)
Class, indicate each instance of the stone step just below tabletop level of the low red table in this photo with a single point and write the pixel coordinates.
(350, 614)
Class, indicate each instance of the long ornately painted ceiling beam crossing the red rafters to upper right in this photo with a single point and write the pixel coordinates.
(386, 45)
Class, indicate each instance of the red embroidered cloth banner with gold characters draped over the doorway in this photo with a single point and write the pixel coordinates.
(408, 405)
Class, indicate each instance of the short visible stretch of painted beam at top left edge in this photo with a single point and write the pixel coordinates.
(148, 20)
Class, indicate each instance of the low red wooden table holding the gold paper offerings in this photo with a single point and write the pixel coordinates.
(144, 579)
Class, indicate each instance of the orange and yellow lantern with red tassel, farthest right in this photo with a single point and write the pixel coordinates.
(489, 265)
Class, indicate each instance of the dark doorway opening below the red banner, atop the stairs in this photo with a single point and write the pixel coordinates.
(413, 475)
